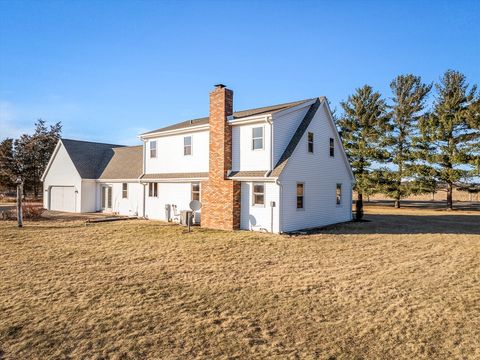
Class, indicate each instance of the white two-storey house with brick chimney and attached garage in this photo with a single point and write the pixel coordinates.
(278, 168)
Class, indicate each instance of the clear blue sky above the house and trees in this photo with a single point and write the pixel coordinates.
(109, 70)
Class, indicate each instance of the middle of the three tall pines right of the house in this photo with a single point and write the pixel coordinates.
(408, 102)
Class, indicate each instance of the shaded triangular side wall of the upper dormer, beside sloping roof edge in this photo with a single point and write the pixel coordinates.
(283, 129)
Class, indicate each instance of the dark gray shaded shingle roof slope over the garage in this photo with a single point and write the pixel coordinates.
(89, 158)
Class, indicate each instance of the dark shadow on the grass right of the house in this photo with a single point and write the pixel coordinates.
(407, 224)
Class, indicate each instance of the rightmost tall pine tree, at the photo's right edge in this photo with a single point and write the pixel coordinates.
(452, 131)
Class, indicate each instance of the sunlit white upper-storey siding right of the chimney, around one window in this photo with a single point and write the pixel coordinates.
(243, 156)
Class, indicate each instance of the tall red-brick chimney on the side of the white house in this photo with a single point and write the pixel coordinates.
(220, 196)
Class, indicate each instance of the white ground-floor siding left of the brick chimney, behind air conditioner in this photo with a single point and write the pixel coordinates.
(179, 194)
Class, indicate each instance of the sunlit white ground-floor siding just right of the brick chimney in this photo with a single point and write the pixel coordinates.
(259, 217)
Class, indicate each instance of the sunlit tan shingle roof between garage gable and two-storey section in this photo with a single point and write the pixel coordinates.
(126, 163)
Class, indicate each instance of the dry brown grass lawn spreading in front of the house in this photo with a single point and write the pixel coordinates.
(400, 286)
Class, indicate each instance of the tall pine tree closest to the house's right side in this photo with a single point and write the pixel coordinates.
(362, 124)
